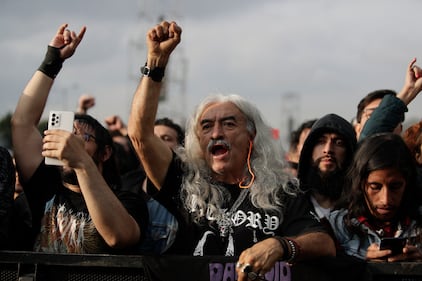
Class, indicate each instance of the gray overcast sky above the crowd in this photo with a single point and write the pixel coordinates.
(297, 58)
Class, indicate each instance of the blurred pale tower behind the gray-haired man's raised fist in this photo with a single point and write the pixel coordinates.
(173, 102)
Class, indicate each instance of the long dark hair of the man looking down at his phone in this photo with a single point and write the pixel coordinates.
(380, 151)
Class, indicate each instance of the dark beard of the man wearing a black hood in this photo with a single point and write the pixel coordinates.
(329, 185)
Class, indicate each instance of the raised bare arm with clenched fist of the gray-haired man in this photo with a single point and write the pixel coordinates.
(161, 40)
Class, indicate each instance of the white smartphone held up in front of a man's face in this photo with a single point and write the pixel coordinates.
(62, 120)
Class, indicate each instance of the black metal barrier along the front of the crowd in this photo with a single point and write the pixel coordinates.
(29, 266)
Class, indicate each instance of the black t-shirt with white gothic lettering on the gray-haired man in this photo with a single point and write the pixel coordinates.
(246, 223)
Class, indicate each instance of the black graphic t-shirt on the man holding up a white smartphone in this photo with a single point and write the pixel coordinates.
(61, 221)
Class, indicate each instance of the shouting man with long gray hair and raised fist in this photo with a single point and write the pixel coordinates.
(227, 187)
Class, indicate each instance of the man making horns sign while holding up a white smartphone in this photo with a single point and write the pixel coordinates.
(83, 191)
